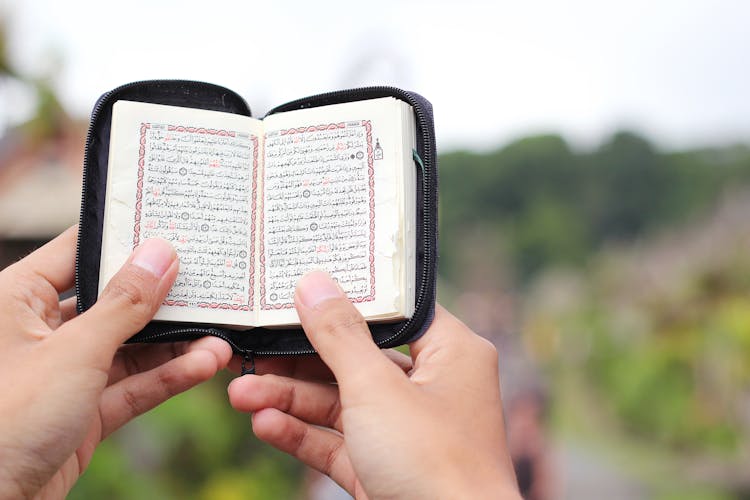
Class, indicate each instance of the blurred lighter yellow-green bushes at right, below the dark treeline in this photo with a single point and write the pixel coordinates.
(659, 338)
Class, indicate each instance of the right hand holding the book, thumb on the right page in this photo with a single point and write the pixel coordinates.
(434, 432)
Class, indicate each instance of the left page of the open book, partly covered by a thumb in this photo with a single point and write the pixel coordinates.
(188, 176)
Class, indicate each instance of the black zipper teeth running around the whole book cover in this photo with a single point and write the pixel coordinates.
(426, 205)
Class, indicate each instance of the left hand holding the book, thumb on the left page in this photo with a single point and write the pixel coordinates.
(67, 382)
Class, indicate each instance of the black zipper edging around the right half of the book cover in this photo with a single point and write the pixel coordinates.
(425, 164)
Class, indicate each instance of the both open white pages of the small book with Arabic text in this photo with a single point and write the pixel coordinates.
(251, 205)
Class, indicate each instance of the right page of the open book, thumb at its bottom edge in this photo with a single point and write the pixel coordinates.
(332, 199)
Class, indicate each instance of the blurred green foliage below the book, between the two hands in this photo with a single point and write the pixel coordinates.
(194, 446)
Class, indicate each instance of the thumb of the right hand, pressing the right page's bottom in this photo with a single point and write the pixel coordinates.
(339, 333)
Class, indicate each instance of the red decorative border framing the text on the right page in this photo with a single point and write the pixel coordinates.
(371, 181)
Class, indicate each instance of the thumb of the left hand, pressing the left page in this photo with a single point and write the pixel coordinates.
(128, 302)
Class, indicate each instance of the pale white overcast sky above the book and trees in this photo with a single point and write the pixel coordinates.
(677, 70)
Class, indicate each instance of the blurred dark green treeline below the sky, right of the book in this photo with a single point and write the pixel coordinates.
(549, 205)
